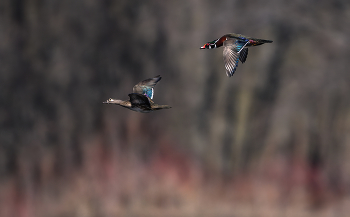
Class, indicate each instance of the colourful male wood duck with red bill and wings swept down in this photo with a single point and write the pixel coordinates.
(235, 48)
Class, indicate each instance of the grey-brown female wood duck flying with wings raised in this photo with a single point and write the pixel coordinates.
(140, 99)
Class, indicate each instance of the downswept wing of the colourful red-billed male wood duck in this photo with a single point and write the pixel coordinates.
(233, 50)
